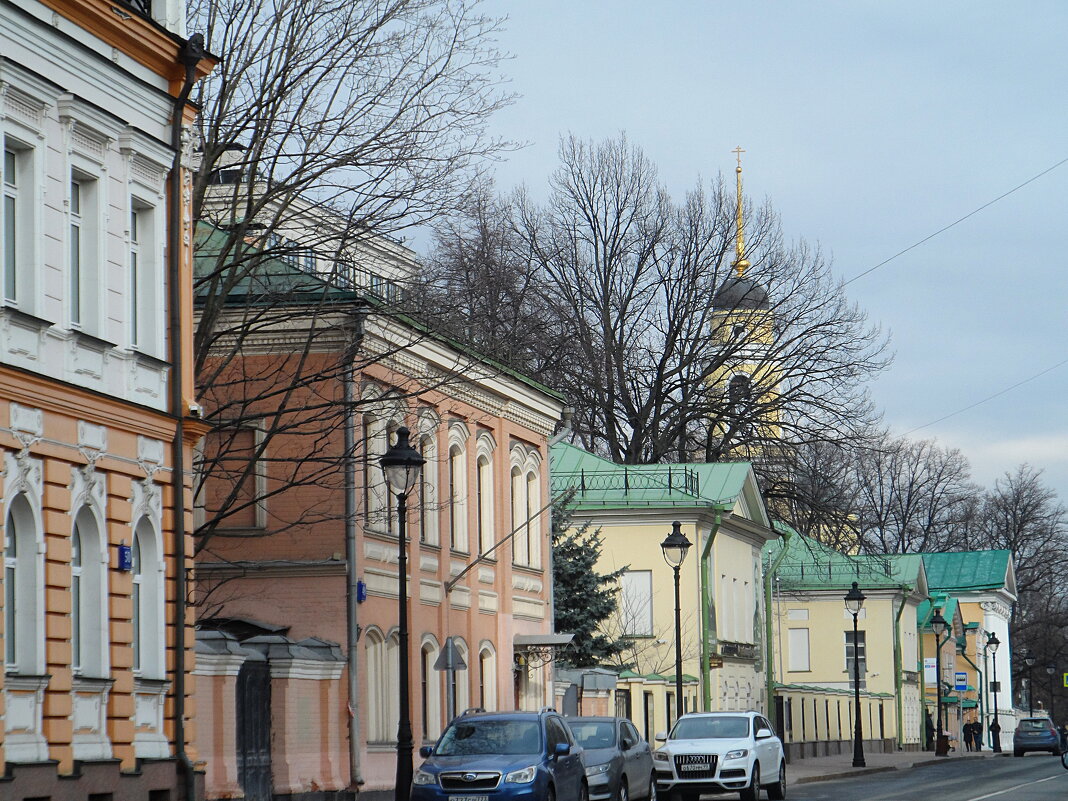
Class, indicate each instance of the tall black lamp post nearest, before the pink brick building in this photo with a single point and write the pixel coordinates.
(402, 466)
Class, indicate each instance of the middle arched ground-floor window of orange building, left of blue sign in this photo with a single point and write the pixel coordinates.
(89, 636)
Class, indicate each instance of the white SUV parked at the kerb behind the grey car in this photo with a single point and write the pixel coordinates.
(713, 752)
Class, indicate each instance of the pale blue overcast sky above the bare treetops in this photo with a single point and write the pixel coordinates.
(870, 127)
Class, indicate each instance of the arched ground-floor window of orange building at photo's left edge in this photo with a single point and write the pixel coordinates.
(24, 591)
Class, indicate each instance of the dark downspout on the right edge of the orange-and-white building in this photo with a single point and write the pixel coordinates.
(192, 54)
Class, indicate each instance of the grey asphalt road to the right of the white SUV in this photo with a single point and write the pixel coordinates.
(1033, 778)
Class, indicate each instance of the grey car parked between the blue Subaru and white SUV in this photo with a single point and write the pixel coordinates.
(619, 763)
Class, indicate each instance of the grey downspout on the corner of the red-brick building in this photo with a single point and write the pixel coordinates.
(352, 607)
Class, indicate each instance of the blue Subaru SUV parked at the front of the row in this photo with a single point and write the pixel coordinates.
(500, 757)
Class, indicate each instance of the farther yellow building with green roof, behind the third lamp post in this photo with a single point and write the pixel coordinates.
(814, 647)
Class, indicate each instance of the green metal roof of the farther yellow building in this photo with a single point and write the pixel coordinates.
(810, 564)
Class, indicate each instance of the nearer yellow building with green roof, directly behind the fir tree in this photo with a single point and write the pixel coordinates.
(723, 514)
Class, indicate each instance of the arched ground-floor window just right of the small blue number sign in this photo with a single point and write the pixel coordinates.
(148, 601)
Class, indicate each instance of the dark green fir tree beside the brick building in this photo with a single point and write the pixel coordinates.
(584, 599)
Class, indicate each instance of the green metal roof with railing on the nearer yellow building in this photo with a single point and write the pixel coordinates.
(601, 483)
